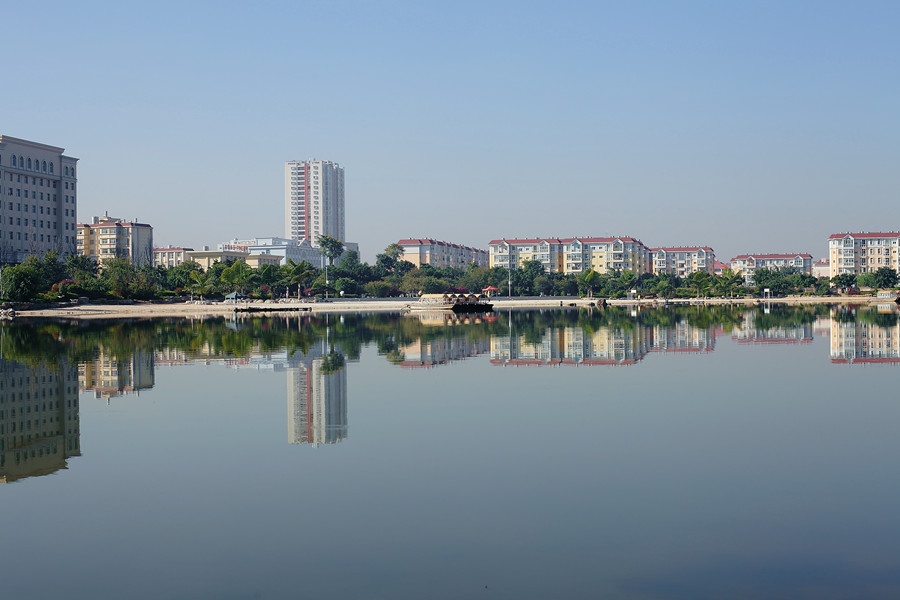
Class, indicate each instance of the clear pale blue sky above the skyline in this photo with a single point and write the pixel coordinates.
(749, 127)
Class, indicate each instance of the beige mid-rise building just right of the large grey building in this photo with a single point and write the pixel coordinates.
(107, 238)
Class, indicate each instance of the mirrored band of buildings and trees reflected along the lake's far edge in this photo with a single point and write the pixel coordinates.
(44, 364)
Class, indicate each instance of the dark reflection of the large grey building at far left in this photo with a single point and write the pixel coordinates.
(39, 424)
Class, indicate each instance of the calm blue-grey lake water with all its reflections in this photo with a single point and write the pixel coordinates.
(649, 455)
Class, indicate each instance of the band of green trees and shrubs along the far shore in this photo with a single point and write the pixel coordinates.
(50, 279)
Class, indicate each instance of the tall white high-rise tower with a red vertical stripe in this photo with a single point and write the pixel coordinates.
(313, 200)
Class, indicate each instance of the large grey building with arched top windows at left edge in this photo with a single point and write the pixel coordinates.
(37, 189)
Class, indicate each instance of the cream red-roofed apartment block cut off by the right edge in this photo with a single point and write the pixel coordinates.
(862, 252)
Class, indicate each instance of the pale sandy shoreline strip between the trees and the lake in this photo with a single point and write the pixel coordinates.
(189, 310)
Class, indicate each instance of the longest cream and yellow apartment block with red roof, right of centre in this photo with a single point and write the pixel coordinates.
(573, 255)
